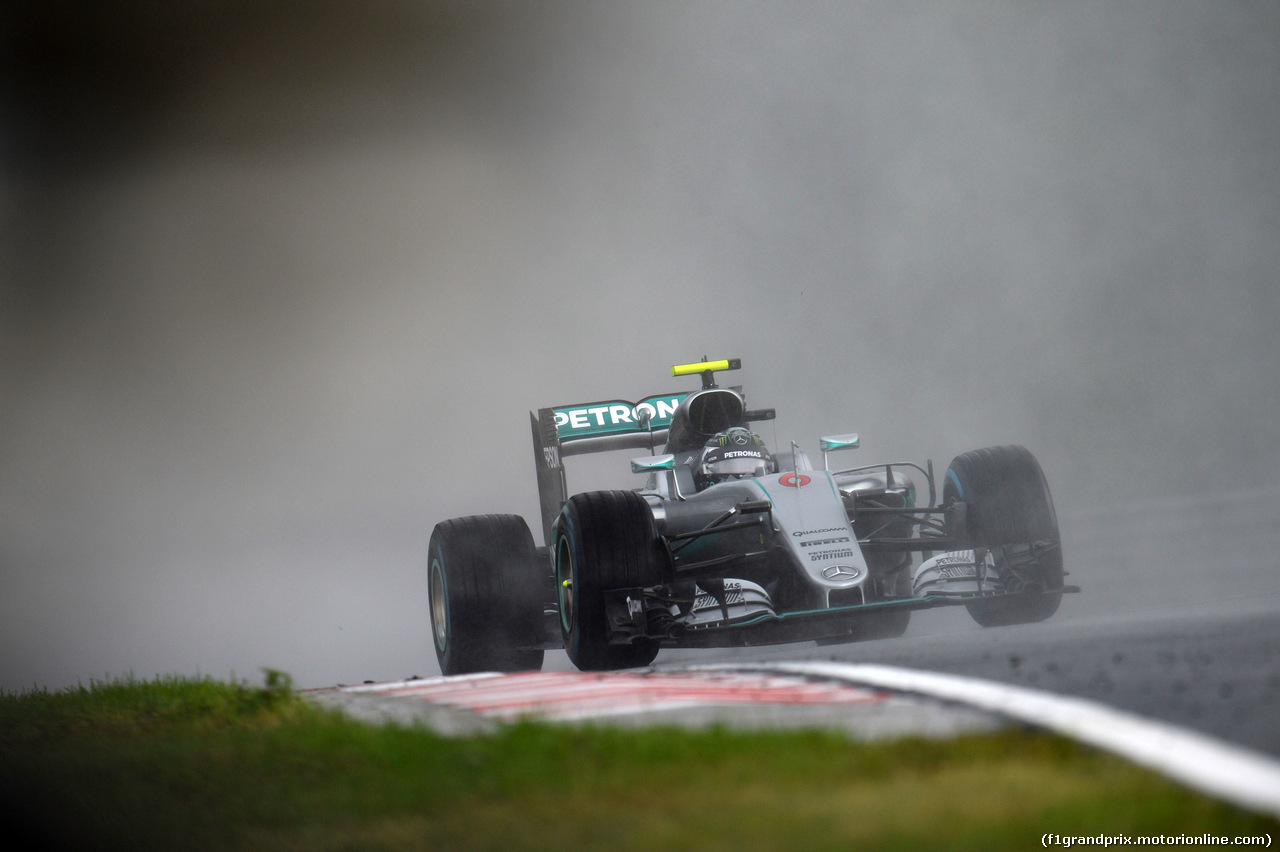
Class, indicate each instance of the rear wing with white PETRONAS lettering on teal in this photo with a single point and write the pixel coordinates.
(593, 428)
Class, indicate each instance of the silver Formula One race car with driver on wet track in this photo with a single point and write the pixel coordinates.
(729, 544)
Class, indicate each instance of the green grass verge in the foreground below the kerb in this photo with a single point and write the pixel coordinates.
(186, 764)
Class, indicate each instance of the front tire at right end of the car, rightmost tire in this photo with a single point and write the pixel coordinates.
(1009, 503)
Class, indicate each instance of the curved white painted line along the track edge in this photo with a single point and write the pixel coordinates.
(1232, 773)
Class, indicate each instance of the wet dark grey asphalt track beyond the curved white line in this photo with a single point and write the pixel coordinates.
(1217, 672)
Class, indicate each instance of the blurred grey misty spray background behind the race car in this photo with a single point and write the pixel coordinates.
(281, 281)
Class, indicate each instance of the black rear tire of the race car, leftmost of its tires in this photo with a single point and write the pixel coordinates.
(486, 588)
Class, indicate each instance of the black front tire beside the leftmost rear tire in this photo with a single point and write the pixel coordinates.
(604, 540)
